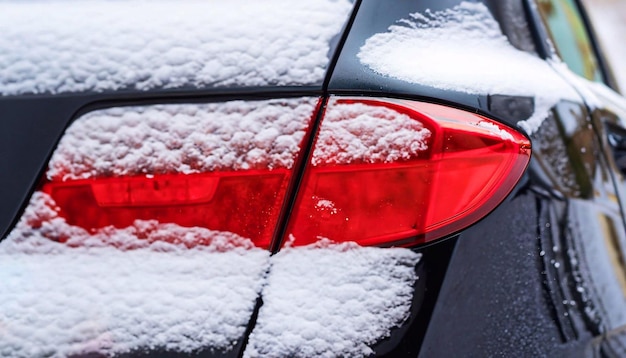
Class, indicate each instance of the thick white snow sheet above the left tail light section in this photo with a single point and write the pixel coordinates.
(75, 46)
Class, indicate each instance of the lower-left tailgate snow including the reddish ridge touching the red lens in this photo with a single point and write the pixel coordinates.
(88, 296)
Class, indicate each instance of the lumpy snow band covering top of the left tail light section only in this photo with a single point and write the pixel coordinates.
(183, 138)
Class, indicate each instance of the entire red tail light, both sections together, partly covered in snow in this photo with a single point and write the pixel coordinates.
(380, 171)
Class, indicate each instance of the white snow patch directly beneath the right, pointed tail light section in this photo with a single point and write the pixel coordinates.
(332, 301)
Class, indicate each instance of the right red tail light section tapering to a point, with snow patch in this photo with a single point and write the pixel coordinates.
(395, 172)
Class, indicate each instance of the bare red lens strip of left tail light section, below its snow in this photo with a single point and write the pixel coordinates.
(246, 203)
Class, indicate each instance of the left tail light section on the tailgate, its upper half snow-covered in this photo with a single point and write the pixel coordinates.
(225, 167)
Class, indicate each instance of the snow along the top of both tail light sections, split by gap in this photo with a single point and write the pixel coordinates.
(236, 135)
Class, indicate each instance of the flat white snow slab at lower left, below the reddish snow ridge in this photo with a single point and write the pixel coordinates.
(109, 301)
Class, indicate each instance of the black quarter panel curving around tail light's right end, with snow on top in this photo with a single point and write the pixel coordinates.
(535, 259)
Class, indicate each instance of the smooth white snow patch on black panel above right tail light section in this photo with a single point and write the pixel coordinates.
(463, 49)
